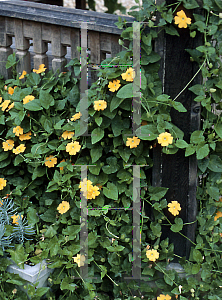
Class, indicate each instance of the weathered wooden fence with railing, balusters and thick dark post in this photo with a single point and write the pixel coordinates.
(61, 27)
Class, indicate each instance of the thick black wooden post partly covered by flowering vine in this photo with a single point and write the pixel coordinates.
(177, 172)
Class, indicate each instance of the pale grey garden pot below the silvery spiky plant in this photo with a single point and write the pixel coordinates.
(32, 274)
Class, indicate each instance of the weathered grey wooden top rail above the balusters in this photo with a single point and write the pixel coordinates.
(69, 17)
